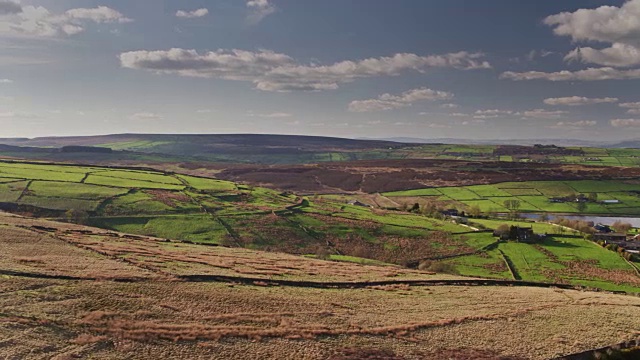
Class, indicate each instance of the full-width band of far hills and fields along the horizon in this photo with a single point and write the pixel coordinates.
(296, 149)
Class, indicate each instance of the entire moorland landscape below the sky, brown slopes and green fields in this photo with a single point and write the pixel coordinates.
(235, 220)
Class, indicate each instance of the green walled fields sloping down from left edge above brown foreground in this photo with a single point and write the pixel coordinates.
(212, 211)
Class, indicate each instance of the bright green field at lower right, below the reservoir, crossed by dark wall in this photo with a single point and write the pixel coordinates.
(564, 256)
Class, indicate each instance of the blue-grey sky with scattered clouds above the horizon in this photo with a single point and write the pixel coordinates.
(465, 69)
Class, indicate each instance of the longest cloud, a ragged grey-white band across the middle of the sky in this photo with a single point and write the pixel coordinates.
(271, 71)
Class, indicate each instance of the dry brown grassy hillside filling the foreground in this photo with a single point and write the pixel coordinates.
(70, 291)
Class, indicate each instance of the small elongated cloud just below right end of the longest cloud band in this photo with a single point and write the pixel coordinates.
(407, 98)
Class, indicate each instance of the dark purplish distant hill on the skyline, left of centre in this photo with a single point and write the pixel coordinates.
(239, 148)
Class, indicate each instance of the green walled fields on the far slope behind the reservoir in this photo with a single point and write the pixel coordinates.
(534, 196)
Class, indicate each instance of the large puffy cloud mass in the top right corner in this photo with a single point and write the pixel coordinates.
(617, 26)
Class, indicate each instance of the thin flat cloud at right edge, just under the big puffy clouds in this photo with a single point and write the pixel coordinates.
(590, 74)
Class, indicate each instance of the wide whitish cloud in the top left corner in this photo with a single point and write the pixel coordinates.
(38, 21)
